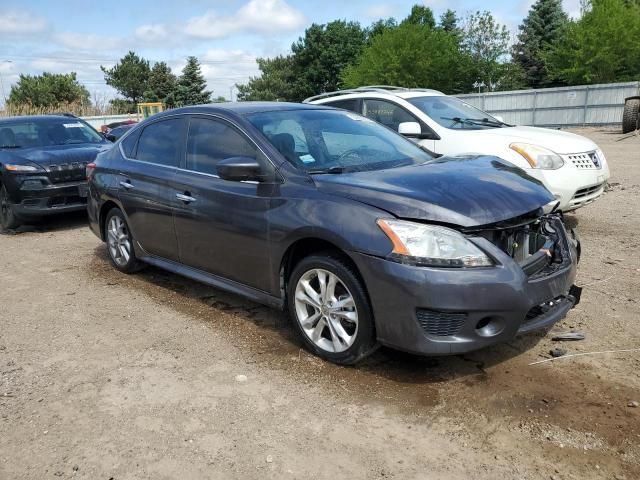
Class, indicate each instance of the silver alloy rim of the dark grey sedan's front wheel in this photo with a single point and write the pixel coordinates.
(326, 310)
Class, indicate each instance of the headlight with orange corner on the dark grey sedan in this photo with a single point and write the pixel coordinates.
(431, 245)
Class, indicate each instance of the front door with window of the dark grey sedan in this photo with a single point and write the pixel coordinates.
(221, 225)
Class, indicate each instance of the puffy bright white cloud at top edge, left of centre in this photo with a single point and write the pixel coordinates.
(256, 16)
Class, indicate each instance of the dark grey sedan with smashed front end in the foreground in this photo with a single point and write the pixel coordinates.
(362, 236)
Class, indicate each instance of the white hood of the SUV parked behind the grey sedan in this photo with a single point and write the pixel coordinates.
(556, 140)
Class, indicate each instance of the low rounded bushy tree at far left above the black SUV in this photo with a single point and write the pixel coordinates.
(49, 90)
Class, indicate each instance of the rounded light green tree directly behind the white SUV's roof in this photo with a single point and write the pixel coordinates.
(397, 57)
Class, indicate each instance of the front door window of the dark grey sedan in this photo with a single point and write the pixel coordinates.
(210, 141)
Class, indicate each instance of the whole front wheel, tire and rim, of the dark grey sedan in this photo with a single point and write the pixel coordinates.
(330, 309)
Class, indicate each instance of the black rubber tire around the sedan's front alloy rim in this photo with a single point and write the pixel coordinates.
(364, 338)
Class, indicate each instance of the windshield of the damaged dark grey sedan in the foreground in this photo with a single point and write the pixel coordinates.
(329, 141)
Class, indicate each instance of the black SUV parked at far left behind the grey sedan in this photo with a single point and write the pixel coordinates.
(43, 162)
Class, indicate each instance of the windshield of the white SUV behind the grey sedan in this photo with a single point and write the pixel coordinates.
(453, 113)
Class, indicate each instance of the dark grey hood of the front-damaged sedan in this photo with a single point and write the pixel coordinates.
(464, 191)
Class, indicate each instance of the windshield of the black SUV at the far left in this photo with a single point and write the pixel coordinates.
(46, 132)
